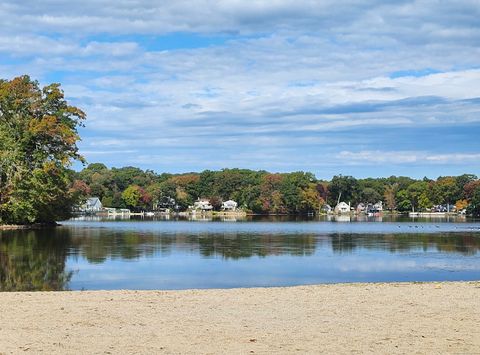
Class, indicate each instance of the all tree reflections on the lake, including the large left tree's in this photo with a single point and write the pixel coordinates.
(37, 259)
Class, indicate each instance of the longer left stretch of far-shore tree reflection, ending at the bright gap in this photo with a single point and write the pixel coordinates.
(98, 245)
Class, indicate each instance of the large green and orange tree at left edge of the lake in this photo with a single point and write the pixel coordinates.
(38, 136)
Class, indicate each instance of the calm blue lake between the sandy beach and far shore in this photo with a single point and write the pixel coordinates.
(174, 254)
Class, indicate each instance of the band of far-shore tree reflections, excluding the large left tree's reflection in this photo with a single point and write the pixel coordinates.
(99, 245)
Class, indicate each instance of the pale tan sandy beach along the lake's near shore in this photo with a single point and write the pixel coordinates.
(424, 318)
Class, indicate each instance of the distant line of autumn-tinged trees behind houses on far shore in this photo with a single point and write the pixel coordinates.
(272, 193)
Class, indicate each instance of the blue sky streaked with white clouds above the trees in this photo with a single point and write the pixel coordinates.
(362, 88)
